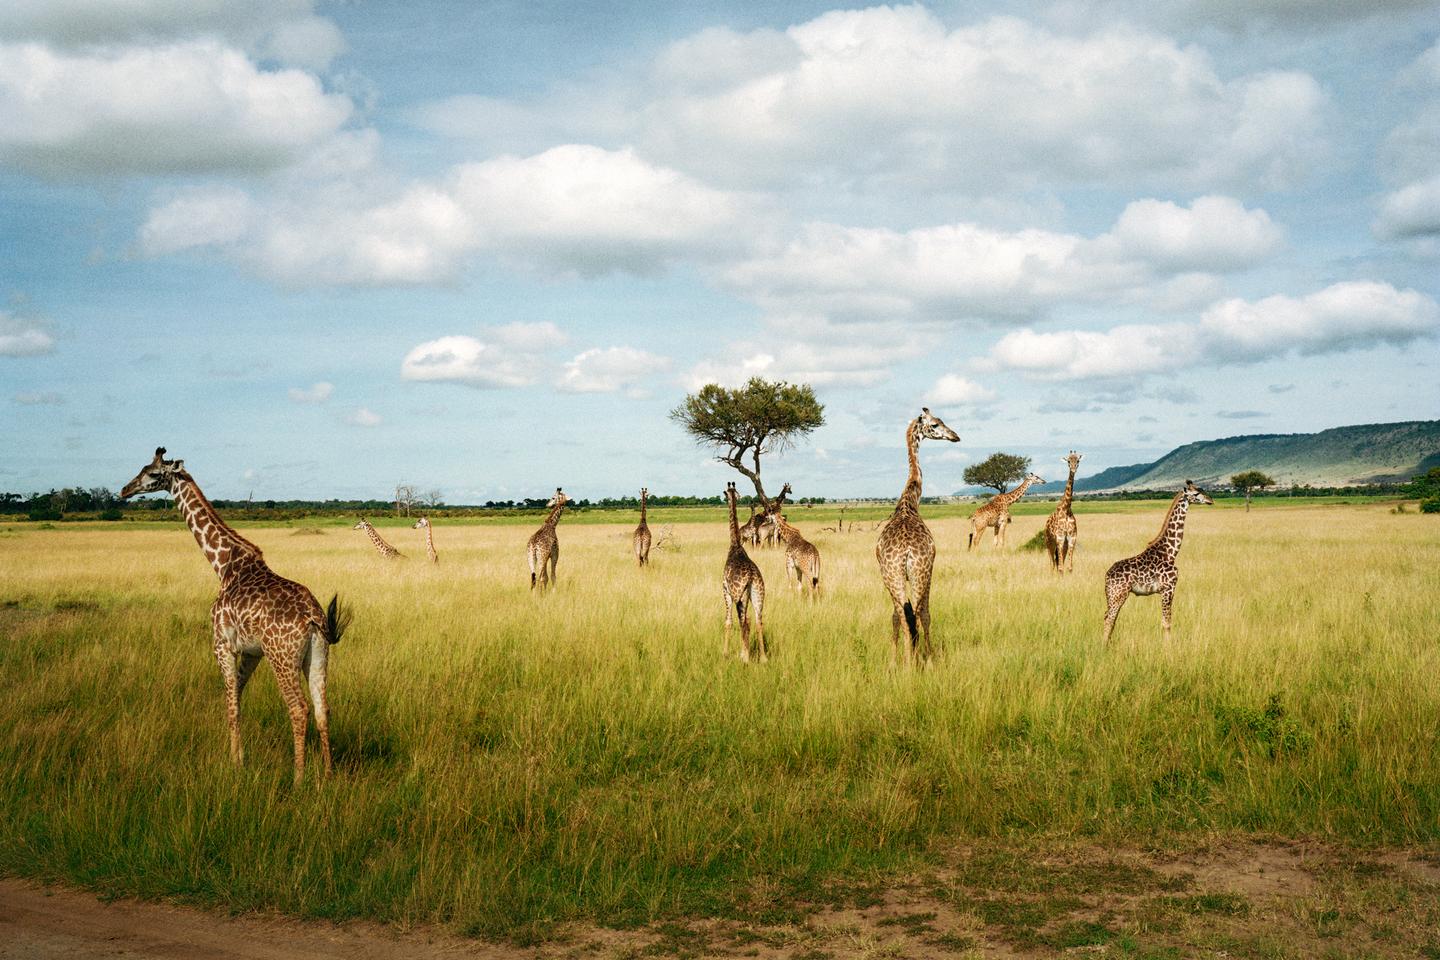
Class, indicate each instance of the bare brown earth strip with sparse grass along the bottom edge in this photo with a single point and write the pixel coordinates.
(1228, 899)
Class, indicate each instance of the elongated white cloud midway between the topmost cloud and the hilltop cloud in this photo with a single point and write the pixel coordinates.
(968, 271)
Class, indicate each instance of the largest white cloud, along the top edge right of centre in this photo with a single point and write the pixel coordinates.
(892, 97)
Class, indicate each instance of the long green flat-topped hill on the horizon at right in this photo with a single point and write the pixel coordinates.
(1364, 454)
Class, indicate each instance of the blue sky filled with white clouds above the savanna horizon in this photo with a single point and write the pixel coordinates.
(319, 250)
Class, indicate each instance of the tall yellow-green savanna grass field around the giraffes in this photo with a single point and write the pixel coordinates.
(509, 762)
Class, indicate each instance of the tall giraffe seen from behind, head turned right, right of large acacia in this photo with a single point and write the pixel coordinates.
(906, 549)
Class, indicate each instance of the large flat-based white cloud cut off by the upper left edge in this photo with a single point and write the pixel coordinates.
(181, 109)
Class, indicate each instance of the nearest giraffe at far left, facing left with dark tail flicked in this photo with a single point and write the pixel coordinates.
(257, 614)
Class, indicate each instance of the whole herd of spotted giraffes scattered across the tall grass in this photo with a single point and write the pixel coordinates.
(263, 615)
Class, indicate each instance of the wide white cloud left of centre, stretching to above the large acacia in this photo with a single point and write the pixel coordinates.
(574, 209)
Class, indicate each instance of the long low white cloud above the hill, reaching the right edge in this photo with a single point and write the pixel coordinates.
(1349, 316)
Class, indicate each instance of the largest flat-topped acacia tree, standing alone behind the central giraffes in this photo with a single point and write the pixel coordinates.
(751, 422)
